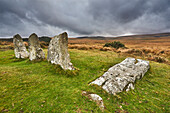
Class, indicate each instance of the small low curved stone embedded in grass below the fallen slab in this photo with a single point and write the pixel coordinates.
(96, 98)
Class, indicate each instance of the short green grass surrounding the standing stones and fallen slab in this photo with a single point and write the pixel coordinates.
(37, 87)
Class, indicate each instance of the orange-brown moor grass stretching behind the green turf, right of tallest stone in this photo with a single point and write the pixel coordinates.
(154, 47)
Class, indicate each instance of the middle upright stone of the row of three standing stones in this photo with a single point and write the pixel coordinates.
(36, 52)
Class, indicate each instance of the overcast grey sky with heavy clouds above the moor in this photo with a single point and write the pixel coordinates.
(83, 17)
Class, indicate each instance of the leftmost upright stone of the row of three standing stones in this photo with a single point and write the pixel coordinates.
(19, 47)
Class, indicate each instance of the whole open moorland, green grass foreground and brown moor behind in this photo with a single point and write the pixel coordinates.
(27, 86)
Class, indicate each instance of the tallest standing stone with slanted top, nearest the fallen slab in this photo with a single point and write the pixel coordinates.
(58, 52)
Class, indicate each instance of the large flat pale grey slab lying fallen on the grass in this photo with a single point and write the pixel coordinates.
(123, 75)
